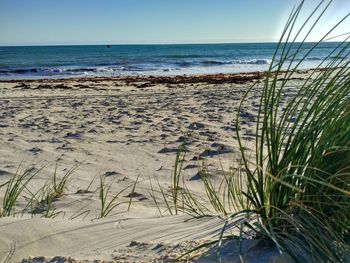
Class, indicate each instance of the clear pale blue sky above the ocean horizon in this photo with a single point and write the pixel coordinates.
(150, 21)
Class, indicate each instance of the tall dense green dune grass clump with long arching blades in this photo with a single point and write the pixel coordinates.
(294, 187)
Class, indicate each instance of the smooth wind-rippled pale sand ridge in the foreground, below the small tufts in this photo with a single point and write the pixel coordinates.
(107, 239)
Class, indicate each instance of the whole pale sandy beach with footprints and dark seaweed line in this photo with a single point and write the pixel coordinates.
(126, 130)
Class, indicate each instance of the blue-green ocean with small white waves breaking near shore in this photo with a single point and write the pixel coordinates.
(30, 62)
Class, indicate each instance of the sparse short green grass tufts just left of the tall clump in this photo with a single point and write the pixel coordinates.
(181, 199)
